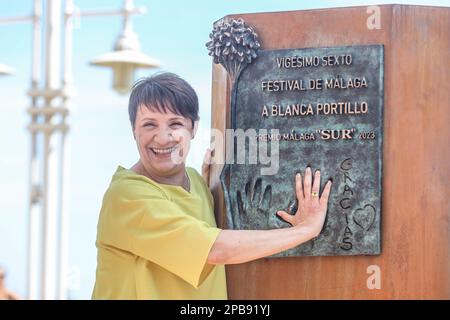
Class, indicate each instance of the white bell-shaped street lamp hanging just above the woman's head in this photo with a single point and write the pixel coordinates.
(126, 57)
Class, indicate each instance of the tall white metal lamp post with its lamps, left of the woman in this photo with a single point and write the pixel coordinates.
(50, 92)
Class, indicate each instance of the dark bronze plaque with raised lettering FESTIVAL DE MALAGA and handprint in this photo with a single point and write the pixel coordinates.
(321, 107)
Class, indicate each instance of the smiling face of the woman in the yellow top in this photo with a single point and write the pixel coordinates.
(163, 140)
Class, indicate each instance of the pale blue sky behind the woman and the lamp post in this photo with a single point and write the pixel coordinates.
(174, 32)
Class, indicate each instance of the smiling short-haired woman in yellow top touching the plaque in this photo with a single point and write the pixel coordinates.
(157, 237)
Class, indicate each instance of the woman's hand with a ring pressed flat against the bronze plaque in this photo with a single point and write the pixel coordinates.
(312, 208)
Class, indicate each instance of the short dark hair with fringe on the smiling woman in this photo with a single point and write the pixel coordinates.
(162, 92)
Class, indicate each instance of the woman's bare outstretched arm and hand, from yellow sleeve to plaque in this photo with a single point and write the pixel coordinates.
(238, 246)
